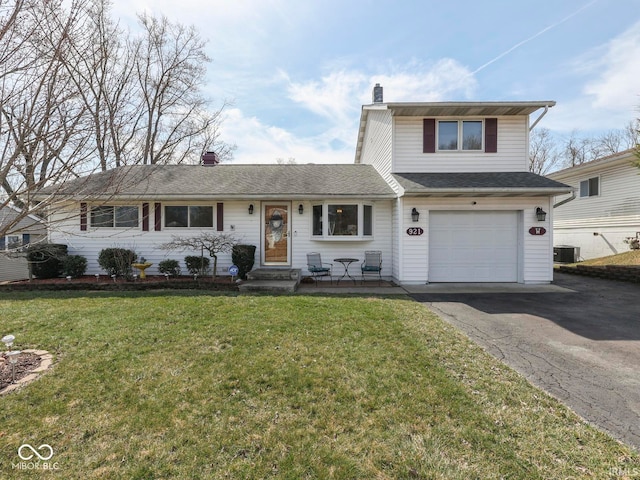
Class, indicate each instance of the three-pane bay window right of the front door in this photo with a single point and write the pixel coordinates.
(342, 220)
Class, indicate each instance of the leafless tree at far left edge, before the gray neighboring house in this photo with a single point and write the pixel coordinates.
(42, 136)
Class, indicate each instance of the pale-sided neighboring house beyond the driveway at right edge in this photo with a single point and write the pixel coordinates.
(606, 208)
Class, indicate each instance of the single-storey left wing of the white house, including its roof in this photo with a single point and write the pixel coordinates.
(337, 210)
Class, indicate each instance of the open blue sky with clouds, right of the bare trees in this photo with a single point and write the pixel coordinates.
(297, 72)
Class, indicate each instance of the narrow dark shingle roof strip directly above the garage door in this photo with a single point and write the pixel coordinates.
(508, 183)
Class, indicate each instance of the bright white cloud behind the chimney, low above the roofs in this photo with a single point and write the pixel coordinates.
(337, 99)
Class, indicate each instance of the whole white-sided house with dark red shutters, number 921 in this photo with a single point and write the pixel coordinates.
(442, 189)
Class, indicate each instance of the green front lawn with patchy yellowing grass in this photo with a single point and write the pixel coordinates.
(190, 385)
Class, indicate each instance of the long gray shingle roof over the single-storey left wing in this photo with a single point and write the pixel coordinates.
(229, 181)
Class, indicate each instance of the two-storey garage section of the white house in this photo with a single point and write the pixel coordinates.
(462, 166)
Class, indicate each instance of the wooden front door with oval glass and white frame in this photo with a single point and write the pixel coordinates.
(276, 247)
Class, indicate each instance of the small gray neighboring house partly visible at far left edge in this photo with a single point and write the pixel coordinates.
(24, 231)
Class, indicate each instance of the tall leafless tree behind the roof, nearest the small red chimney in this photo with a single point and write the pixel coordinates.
(170, 65)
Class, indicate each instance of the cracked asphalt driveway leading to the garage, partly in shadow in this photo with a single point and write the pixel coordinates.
(579, 341)
